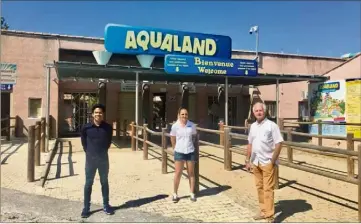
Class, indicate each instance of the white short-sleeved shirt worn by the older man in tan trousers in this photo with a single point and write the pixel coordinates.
(264, 136)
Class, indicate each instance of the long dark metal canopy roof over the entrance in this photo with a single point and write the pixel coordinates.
(78, 70)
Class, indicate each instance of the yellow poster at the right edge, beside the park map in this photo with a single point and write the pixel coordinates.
(353, 106)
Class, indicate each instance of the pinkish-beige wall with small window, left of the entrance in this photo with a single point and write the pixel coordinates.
(30, 55)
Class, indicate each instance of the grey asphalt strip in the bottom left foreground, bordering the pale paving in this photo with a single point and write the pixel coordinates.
(17, 206)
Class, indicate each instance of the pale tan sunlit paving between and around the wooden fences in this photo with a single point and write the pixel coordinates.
(226, 196)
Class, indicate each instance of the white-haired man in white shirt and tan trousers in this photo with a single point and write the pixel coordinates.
(264, 147)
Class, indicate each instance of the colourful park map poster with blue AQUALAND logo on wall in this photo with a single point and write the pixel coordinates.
(327, 103)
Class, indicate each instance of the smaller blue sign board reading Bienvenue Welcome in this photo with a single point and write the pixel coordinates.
(194, 65)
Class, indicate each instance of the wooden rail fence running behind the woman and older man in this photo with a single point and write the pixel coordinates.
(226, 135)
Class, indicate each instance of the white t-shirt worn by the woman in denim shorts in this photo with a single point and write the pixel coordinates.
(184, 142)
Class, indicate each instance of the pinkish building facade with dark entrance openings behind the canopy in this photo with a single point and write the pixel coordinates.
(70, 99)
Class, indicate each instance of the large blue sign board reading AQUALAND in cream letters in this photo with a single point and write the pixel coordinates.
(124, 39)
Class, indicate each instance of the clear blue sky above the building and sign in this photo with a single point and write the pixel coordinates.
(324, 28)
